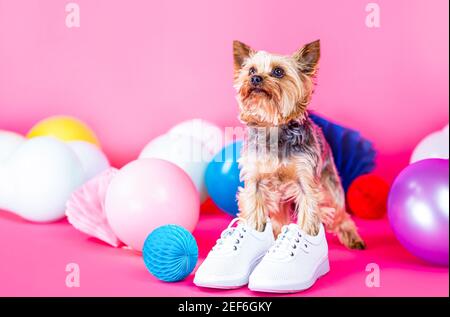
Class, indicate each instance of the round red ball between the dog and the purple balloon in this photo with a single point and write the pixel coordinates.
(367, 196)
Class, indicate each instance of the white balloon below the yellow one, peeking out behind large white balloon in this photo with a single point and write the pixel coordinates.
(94, 161)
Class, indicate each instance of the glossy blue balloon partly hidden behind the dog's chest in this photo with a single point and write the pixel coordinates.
(222, 178)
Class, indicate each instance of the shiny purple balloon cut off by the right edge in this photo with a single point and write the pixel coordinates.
(418, 208)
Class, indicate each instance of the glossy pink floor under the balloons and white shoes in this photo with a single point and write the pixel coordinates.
(33, 259)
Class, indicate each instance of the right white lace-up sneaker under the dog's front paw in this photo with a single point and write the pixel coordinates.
(293, 264)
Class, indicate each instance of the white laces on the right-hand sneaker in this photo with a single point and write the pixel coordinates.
(288, 242)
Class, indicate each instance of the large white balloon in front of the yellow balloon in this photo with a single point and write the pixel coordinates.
(38, 179)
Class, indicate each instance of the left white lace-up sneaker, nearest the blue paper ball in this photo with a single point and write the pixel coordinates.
(235, 255)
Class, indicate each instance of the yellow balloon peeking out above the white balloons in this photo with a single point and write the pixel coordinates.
(64, 128)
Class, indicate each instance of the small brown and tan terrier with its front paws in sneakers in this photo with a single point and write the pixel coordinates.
(297, 178)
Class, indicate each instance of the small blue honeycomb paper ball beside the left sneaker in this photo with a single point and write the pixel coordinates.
(170, 253)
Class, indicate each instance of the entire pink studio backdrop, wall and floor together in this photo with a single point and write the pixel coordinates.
(135, 68)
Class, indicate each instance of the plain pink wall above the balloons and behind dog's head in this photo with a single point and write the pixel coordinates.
(135, 68)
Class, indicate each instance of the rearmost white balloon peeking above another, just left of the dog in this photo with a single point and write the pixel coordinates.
(207, 133)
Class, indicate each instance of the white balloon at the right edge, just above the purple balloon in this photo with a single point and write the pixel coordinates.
(435, 145)
